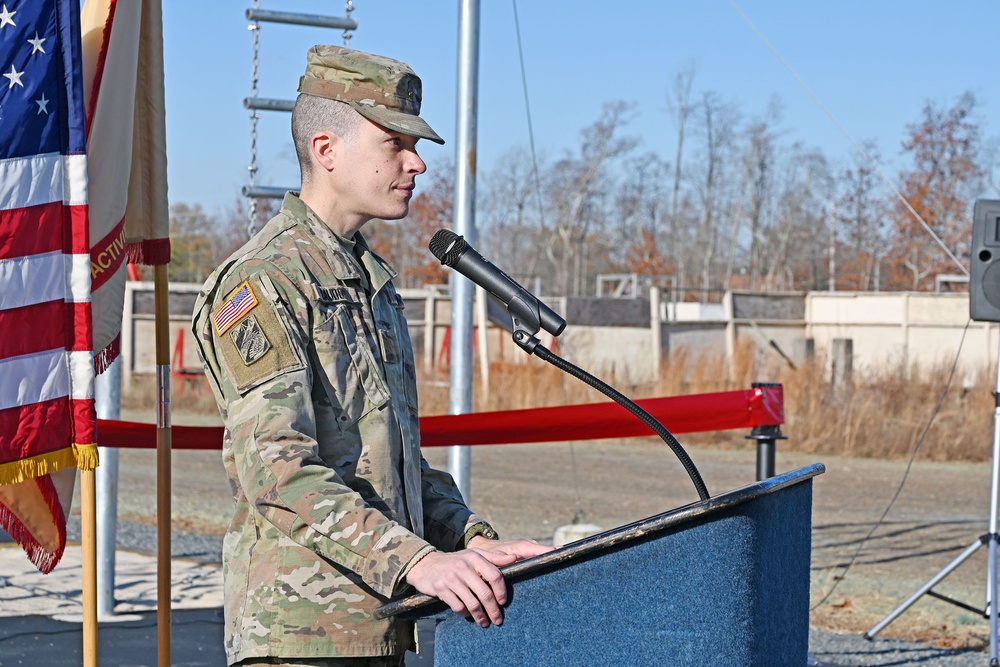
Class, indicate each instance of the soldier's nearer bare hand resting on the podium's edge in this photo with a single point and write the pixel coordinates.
(469, 581)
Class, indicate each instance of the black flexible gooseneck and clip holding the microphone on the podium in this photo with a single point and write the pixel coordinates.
(524, 336)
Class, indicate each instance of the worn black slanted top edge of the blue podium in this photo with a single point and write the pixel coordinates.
(423, 605)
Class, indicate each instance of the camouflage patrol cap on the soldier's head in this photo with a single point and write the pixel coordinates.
(383, 90)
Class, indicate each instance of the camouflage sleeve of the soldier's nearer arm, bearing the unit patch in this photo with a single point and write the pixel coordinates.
(272, 425)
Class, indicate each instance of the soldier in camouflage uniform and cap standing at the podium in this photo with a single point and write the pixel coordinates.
(305, 346)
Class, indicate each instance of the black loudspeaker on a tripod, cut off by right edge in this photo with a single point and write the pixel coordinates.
(984, 283)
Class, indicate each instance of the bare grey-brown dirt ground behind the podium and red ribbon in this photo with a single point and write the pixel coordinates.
(529, 490)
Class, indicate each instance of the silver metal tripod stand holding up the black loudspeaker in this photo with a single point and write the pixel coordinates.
(991, 539)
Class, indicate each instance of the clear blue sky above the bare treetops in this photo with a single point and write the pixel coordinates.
(872, 63)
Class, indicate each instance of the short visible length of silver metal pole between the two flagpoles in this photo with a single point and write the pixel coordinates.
(107, 400)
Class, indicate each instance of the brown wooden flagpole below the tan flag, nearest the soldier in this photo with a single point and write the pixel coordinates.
(162, 465)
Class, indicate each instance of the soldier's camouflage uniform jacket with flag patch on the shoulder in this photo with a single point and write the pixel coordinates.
(307, 351)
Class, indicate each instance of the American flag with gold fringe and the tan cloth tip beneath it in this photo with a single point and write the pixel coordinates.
(47, 417)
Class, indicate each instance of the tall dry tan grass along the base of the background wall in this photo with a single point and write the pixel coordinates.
(881, 413)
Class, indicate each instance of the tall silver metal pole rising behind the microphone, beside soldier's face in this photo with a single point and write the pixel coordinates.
(462, 289)
